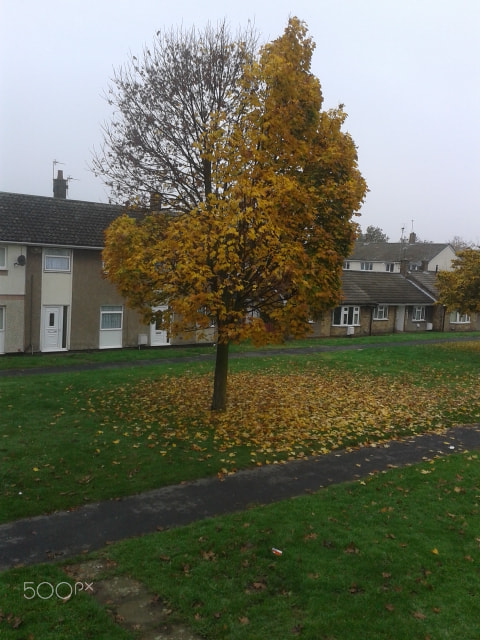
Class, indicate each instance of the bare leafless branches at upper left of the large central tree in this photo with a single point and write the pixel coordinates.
(164, 105)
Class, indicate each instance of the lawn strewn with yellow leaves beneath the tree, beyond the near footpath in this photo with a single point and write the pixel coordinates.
(77, 437)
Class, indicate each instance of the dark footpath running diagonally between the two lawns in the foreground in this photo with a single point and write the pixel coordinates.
(64, 534)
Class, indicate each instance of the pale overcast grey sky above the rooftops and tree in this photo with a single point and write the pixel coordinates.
(407, 71)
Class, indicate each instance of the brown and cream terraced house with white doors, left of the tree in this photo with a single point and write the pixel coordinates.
(53, 296)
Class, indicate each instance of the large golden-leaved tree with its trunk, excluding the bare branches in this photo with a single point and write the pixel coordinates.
(261, 254)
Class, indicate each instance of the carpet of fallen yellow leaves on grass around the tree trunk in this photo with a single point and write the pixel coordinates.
(279, 415)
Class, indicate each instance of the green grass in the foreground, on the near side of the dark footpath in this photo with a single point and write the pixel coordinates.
(393, 556)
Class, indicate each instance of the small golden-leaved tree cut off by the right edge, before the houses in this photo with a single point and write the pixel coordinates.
(460, 288)
